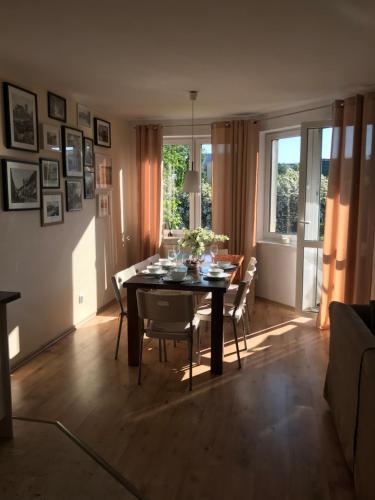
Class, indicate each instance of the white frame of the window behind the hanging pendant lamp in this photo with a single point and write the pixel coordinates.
(194, 198)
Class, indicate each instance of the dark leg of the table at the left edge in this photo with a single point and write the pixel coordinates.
(6, 426)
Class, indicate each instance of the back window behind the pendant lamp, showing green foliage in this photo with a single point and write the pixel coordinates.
(183, 210)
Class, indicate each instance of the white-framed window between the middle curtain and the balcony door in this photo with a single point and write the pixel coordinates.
(282, 183)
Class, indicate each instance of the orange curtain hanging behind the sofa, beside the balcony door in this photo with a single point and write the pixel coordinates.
(348, 250)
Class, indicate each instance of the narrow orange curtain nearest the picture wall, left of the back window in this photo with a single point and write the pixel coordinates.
(149, 141)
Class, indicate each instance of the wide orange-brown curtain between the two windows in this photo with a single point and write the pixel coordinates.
(235, 147)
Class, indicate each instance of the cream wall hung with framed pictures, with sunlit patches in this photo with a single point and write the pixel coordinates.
(51, 266)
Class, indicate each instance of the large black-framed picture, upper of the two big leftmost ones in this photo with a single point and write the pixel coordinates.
(21, 118)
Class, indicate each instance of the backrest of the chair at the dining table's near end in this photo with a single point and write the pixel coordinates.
(165, 307)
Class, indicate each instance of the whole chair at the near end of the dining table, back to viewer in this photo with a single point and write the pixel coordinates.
(169, 316)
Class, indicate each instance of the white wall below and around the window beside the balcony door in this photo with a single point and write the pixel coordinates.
(277, 261)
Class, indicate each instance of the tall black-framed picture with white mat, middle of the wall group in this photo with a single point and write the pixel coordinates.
(72, 147)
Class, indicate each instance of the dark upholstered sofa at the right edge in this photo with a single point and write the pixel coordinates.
(350, 389)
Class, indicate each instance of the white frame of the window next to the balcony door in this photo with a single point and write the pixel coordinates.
(269, 137)
